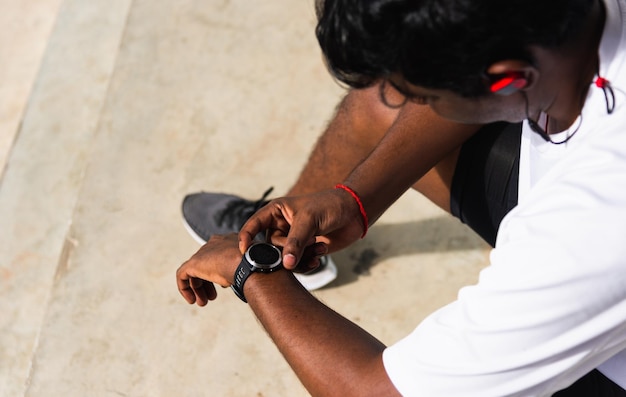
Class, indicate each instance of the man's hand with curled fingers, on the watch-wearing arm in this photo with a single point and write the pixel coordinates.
(215, 262)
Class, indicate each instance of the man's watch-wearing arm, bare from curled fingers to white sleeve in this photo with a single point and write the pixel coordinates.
(331, 355)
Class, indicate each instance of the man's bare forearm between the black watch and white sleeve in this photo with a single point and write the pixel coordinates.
(330, 354)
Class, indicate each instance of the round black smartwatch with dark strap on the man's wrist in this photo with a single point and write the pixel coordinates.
(260, 257)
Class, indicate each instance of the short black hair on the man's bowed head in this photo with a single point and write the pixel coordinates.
(441, 44)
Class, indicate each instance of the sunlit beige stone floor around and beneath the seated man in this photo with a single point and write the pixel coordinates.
(111, 112)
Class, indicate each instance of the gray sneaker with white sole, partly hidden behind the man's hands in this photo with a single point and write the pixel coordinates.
(206, 214)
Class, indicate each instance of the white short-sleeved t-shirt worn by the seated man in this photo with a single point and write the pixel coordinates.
(552, 304)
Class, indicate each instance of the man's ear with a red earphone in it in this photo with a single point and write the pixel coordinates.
(509, 76)
